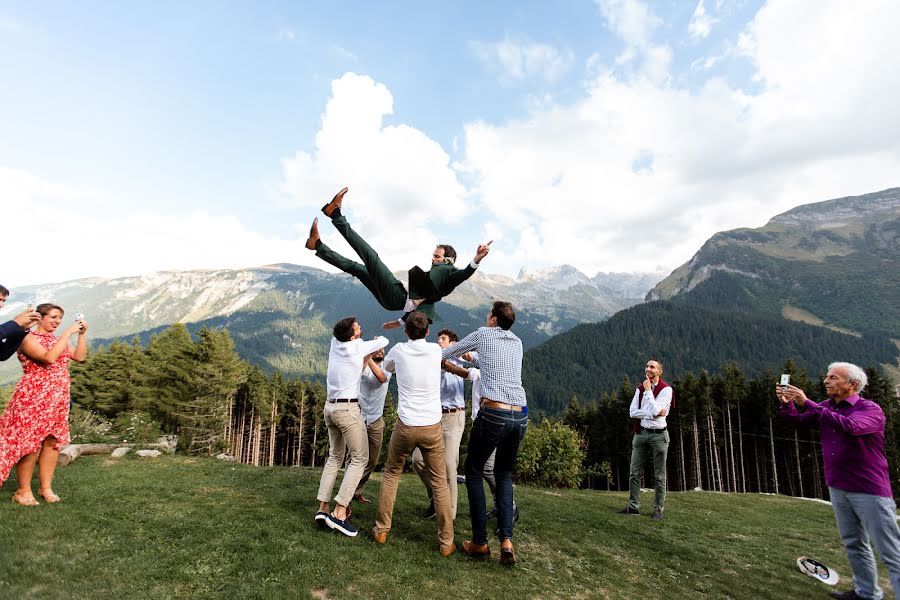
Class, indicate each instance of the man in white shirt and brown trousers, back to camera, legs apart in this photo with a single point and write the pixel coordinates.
(417, 364)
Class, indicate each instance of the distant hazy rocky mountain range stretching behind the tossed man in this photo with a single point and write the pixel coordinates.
(280, 316)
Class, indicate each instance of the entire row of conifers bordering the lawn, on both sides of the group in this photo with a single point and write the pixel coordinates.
(725, 430)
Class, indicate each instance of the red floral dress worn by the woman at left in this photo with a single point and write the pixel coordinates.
(39, 408)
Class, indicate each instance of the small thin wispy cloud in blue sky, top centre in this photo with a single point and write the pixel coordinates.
(522, 59)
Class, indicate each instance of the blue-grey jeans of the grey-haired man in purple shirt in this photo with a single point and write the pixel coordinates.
(859, 517)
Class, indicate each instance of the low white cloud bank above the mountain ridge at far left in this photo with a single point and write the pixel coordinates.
(61, 237)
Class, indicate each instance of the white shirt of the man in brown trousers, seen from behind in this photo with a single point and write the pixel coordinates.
(417, 364)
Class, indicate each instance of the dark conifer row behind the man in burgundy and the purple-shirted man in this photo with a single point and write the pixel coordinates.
(726, 434)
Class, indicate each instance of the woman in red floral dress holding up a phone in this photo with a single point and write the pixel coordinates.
(35, 424)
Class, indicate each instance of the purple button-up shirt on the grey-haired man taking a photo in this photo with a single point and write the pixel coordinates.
(852, 434)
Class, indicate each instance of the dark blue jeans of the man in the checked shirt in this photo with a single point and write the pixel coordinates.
(502, 430)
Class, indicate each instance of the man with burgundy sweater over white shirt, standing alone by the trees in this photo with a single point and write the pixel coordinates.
(651, 403)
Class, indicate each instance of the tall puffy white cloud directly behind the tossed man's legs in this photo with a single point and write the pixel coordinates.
(402, 186)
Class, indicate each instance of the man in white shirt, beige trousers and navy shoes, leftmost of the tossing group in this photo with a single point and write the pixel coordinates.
(346, 430)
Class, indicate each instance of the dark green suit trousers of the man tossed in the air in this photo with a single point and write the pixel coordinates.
(372, 273)
